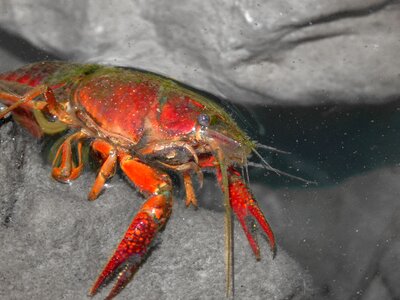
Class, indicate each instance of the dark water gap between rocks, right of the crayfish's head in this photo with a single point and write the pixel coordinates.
(331, 143)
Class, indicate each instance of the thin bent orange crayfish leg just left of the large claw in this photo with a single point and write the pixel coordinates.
(107, 170)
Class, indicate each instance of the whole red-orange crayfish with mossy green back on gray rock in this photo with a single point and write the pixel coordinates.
(146, 124)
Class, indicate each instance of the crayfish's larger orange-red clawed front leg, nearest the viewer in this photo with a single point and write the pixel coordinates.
(151, 217)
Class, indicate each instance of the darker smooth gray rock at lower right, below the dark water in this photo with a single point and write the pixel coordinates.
(347, 235)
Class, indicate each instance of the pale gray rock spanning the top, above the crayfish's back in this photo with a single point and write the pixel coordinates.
(247, 51)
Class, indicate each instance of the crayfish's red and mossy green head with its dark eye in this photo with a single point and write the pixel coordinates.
(203, 125)
